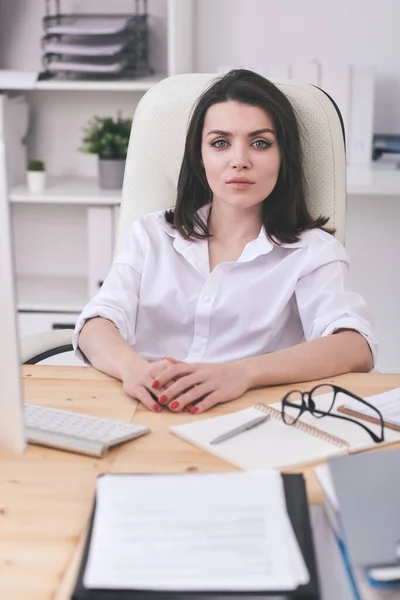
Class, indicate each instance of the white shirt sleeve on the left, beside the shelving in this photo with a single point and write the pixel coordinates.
(118, 297)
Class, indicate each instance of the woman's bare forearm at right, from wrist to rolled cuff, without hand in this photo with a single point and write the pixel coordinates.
(343, 352)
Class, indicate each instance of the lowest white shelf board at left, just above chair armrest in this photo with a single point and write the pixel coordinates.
(54, 294)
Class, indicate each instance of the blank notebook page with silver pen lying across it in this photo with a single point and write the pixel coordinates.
(270, 445)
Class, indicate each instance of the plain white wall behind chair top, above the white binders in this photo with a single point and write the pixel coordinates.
(362, 32)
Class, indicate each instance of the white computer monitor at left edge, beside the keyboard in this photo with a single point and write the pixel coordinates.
(12, 434)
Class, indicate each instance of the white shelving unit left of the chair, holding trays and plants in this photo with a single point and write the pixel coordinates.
(64, 237)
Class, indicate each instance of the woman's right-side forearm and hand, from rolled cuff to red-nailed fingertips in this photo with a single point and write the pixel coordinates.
(211, 384)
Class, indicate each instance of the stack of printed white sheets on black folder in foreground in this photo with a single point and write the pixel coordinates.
(214, 532)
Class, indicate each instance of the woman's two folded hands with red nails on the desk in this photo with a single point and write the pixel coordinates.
(186, 386)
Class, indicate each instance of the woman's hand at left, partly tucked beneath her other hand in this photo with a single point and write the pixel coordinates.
(138, 385)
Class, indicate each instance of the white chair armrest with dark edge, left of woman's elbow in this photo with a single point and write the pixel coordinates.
(35, 348)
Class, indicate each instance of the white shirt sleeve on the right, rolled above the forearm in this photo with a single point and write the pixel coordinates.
(325, 300)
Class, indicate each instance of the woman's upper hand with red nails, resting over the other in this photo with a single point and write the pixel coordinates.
(206, 384)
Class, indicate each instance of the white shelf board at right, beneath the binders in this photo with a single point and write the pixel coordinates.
(377, 181)
